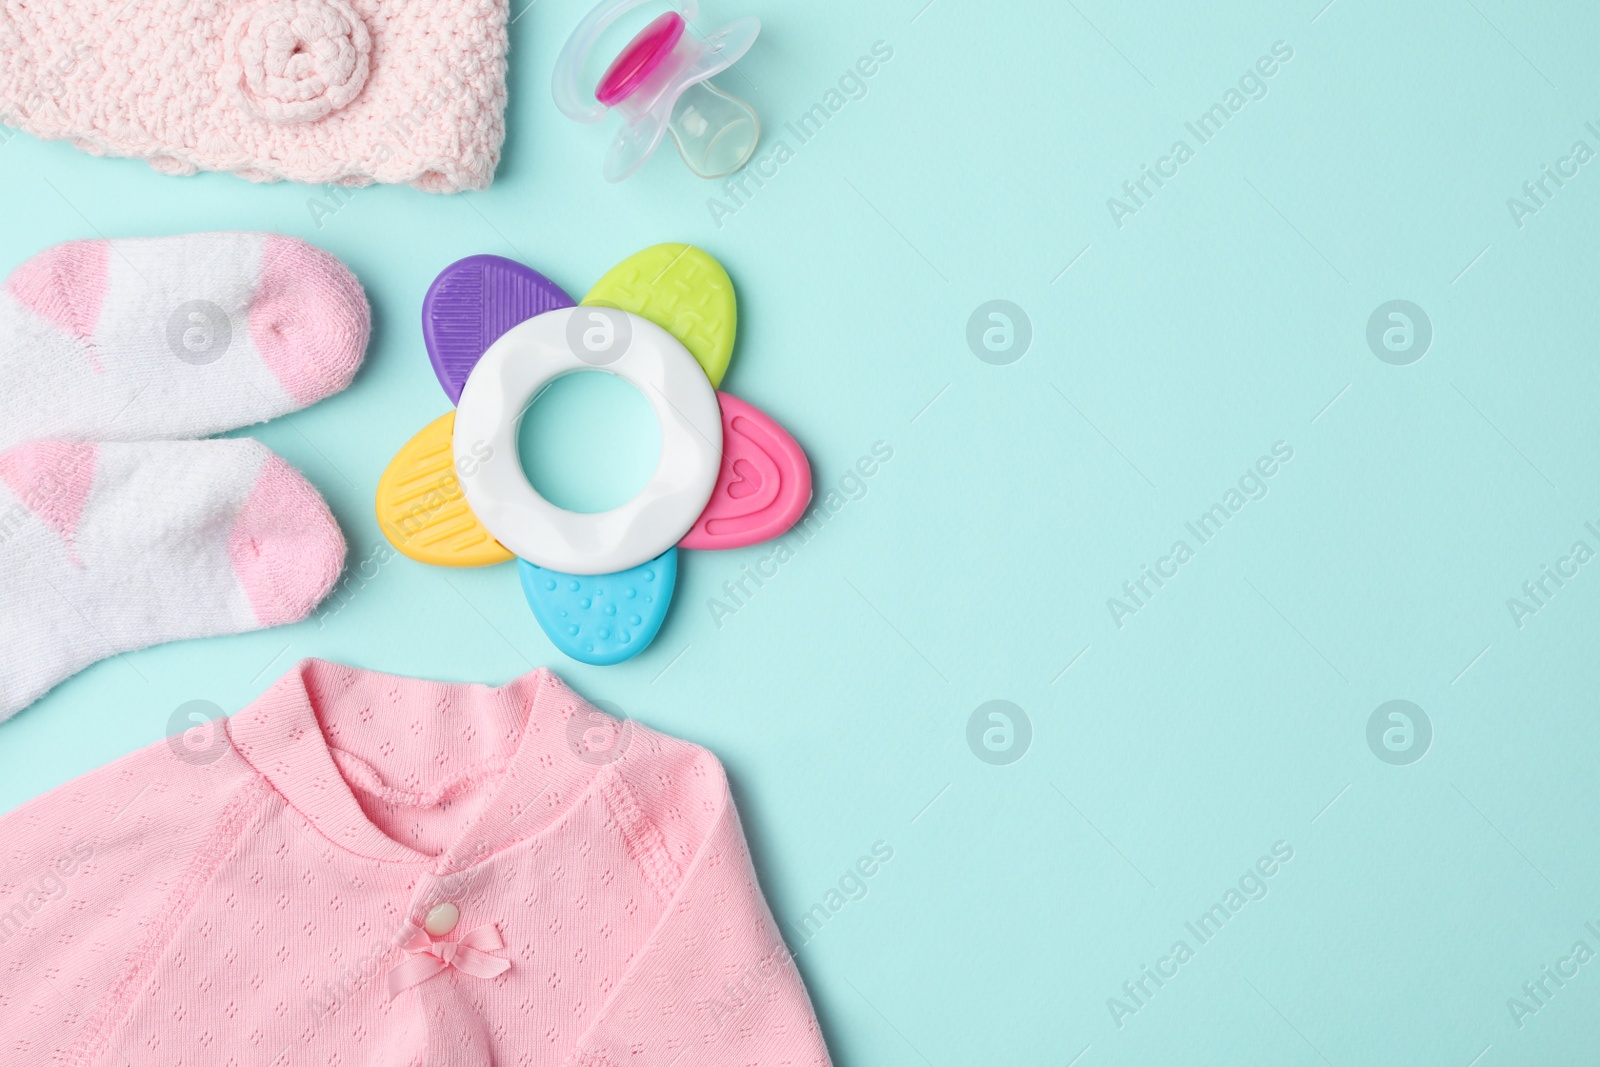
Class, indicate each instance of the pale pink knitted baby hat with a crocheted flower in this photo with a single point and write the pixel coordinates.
(348, 92)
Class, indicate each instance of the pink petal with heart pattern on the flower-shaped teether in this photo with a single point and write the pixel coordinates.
(764, 486)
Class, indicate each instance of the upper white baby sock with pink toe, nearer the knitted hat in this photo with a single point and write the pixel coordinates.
(174, 337)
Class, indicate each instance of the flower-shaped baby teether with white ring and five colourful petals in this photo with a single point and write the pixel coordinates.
(498, 334)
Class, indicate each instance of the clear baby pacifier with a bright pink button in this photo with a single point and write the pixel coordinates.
(662, 82)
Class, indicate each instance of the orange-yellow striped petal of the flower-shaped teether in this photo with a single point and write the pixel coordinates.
(423, 511)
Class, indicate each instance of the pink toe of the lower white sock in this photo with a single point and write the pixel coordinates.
(286, 546)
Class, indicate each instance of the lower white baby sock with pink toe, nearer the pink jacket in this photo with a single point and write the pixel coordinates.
(113, 548)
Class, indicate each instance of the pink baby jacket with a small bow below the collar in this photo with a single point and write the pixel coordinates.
(366, 871)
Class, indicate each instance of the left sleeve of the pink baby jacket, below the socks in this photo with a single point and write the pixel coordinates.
(92, 876)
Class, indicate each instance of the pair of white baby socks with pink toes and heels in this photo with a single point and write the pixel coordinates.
(118, 527)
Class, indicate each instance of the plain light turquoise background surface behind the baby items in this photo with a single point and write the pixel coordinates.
(1228, 314)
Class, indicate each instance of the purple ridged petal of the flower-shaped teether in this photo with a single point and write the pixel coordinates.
(471, 305)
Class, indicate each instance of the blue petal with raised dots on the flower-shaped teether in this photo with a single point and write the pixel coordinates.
(602, 620)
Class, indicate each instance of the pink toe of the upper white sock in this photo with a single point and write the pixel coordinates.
(310, 319)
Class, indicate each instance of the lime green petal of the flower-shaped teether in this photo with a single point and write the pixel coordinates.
(684, 292)
